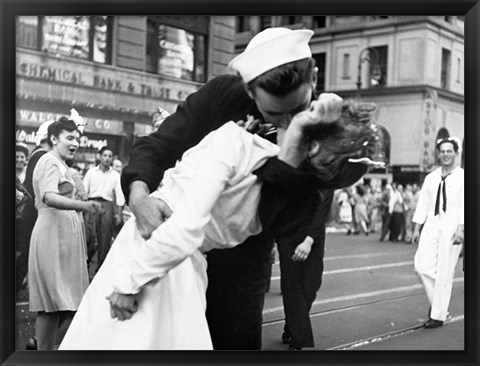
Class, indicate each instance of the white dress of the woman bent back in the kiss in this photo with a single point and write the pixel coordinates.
(214, 197)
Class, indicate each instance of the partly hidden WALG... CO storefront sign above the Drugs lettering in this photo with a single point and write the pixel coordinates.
(94, 125)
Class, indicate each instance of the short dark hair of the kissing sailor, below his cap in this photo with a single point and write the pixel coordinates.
(285, 78)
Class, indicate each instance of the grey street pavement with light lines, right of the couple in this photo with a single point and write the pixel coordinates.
(371, 299)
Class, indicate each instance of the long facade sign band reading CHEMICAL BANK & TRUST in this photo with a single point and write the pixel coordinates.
(100, 78)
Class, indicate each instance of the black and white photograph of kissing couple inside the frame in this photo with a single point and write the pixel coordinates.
(240, 183)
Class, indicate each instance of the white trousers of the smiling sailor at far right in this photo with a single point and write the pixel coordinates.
(435, 262)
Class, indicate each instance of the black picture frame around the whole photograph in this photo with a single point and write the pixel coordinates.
(10, 8)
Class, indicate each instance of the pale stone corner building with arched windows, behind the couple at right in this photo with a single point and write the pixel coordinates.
(411, 66)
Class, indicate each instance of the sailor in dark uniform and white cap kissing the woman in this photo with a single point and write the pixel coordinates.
(238, 277)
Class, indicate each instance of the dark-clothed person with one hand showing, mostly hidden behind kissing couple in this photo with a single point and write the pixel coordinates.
(301, 268)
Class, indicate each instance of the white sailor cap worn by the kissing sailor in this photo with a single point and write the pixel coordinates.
(271, 48)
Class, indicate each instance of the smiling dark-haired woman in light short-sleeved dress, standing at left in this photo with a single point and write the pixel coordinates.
(57, 269)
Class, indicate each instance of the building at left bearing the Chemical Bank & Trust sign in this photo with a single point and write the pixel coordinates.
(115, 71)
